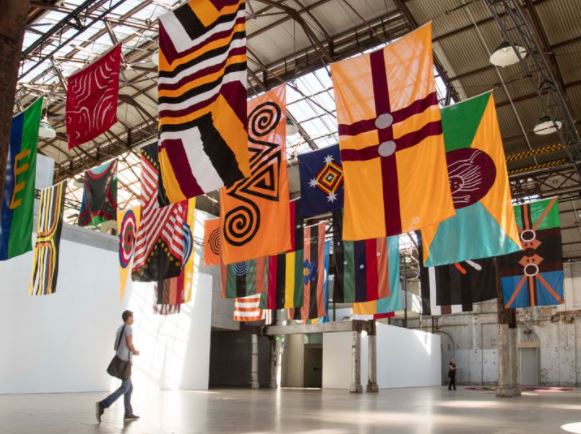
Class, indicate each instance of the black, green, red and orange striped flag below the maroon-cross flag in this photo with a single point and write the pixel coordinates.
(361, 267)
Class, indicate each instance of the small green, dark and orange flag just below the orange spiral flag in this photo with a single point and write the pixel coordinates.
(244, 278)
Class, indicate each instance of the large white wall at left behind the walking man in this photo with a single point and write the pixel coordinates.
(64, 342)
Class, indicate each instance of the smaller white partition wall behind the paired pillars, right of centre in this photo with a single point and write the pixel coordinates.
(405, 358)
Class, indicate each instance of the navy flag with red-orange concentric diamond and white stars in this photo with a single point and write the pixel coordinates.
(321, 176)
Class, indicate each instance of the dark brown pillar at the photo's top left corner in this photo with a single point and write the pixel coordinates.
(12, 24)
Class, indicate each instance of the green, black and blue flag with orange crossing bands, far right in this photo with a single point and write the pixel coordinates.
(534, 277)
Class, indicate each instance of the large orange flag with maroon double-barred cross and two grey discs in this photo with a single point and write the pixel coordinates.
(391, 141)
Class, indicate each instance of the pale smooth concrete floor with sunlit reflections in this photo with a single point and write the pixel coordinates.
(417, 410)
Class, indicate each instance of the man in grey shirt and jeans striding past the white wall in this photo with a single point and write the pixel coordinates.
(124, 349)
